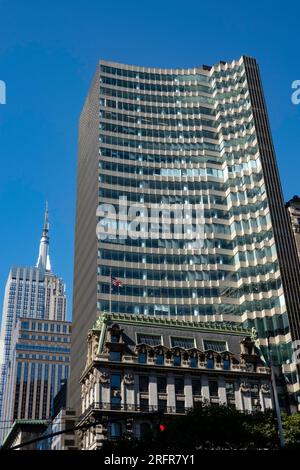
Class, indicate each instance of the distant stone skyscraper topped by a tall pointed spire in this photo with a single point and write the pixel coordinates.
(33, 293)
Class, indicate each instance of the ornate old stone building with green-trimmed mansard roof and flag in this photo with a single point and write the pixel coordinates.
(140, 366)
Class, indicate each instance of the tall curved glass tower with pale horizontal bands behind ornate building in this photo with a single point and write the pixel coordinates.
(197, 137)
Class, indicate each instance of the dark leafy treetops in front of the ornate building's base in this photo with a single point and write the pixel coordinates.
(215, 427)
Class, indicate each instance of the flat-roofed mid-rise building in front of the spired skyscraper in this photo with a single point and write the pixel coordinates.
(39, 362)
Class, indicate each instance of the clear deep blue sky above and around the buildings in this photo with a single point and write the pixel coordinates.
(48, 54)
